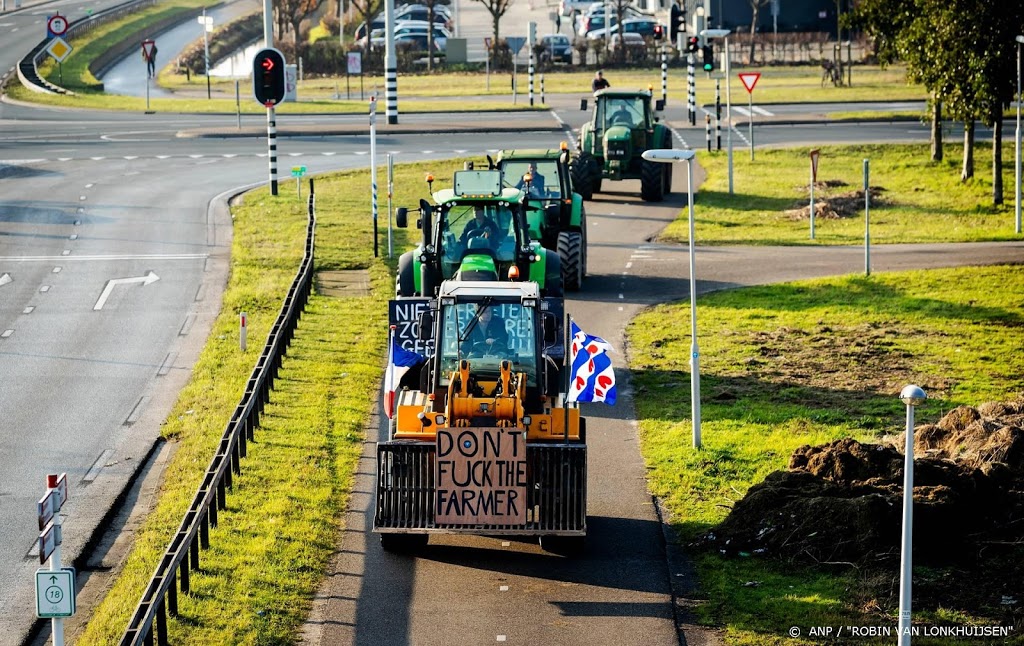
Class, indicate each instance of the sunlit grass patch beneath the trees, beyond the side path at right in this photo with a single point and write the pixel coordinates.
(921, 201)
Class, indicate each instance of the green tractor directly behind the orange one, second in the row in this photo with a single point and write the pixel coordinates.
(477, 231)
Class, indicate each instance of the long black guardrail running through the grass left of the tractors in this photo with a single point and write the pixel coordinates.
(183, 554)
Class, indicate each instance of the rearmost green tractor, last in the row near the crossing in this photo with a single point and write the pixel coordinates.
(623, 127)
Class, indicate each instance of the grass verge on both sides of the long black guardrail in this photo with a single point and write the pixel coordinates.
(269, 551)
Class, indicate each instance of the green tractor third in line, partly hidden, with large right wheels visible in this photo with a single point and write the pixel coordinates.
(556, 214)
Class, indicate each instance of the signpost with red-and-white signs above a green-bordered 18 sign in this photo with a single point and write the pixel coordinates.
(55, 587)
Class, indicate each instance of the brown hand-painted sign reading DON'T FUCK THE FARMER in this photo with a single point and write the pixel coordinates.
(482, 477)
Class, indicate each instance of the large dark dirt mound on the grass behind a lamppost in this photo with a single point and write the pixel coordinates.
(842, 502)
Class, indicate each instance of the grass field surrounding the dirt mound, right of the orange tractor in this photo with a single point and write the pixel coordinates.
(801, 364)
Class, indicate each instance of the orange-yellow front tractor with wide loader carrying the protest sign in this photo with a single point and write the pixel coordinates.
(482, 440)
